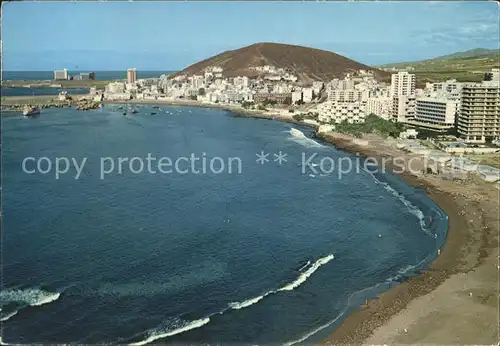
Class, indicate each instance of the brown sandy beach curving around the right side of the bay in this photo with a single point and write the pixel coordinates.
(455, 301)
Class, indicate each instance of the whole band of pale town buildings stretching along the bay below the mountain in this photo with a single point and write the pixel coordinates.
(471, 107)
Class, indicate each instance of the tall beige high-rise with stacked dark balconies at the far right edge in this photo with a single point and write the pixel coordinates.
(479, 116)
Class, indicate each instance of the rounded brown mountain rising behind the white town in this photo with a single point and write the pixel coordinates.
(308, 64)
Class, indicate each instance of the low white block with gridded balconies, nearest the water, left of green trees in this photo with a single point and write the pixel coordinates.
(337, 112)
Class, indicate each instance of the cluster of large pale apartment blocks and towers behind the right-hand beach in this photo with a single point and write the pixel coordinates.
(473, 108)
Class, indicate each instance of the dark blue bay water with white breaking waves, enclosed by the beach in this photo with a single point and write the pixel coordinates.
(245, 244)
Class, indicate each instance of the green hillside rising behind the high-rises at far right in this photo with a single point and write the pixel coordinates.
(463, 66)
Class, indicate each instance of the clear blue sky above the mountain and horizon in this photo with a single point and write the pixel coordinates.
(172, 35)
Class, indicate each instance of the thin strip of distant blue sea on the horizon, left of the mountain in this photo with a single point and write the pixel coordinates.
(99, 75)
